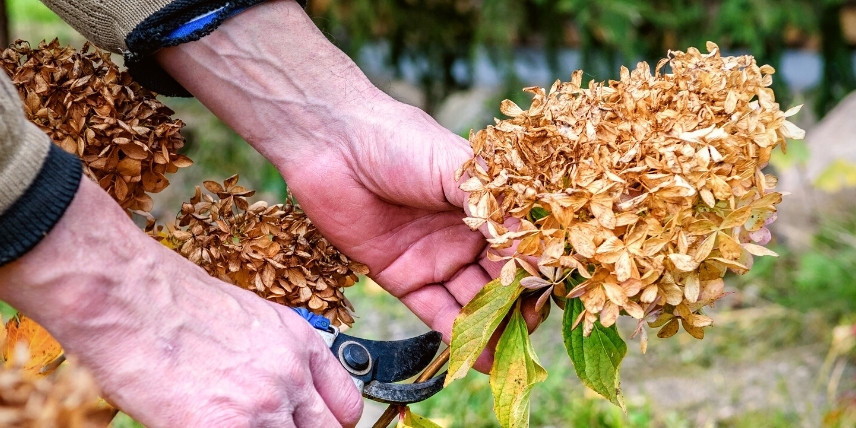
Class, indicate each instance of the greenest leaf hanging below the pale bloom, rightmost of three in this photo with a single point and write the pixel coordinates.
(597, 358)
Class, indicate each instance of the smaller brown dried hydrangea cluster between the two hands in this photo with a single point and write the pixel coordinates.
(272, 250)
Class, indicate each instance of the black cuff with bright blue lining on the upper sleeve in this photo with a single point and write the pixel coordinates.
(179, 22)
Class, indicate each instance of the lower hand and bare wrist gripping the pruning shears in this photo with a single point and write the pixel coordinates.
(167, 343)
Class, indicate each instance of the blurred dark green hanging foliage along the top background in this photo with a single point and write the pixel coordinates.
(443, 34)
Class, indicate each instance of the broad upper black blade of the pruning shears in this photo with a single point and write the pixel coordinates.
(394, 360)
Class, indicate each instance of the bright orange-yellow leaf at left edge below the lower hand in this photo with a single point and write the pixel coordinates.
(41, 347)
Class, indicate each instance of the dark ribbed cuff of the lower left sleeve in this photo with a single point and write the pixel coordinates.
(34, 214)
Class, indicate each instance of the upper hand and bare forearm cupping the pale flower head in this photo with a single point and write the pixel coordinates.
(376, 176)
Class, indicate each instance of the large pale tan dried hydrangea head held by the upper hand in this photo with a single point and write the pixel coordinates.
(646, 189)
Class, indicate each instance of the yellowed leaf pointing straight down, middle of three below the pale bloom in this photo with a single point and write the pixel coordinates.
(515, 371)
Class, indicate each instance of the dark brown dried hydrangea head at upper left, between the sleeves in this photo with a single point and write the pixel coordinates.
(124, 135)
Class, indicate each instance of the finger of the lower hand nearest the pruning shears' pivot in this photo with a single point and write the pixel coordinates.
(335, 386)
